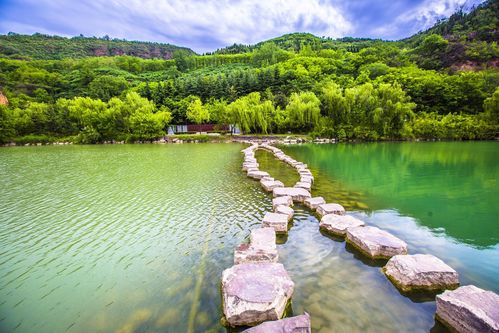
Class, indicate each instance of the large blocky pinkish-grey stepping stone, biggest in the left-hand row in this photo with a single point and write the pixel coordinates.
(254, 293)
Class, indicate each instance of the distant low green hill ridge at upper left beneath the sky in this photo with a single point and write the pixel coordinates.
(45, 47)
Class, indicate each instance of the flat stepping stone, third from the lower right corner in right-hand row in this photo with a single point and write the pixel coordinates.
(375, 243)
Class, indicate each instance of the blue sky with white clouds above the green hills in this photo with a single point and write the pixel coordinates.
(205, 26)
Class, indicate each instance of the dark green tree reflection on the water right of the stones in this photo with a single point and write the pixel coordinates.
(450, 185)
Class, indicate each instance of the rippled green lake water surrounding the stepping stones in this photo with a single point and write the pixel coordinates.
(134, 238)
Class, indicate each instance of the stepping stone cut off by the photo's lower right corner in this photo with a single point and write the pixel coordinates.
(469, 309)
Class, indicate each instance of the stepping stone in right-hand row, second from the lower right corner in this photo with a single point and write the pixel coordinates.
(419, 272)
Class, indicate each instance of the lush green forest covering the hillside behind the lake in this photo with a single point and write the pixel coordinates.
(441, 83)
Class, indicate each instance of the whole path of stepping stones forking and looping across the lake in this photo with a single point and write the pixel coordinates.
(257, 289)
